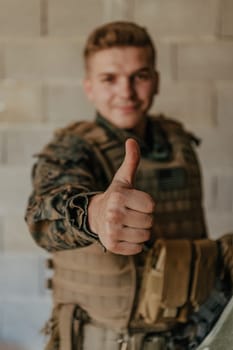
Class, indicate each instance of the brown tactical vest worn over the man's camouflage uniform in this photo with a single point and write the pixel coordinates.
(107, 285)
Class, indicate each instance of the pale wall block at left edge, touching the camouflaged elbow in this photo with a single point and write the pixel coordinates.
(16, 237)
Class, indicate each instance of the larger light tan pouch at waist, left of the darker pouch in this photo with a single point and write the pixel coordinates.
(165, 285)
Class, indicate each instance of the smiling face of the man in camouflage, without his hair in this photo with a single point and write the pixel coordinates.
(121, 83)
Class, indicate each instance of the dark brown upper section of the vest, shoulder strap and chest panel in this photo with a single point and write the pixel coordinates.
(175, 185)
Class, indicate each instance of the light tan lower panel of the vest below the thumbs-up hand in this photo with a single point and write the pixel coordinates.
(103, 284)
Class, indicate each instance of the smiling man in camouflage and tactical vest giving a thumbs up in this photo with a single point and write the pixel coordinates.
(118, 203)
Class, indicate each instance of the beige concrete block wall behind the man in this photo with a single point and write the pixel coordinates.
(40, 89)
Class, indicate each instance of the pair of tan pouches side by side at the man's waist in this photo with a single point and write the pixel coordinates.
(178, 277)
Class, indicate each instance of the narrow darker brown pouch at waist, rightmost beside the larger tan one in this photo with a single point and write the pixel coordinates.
(204, 273)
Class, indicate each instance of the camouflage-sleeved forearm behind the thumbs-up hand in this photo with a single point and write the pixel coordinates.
(61, 226)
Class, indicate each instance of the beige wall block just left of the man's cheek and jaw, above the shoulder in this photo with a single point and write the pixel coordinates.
(68, 103)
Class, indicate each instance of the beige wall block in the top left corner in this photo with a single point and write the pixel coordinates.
(19, 18)
